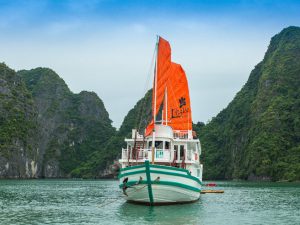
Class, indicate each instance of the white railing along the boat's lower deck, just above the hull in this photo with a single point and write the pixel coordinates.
(160, 155)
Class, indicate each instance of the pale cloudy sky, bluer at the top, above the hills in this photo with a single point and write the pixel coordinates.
(106, 46)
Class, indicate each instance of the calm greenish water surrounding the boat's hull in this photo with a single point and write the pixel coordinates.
(97, 202)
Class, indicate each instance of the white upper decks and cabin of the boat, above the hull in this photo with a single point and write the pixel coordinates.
(171, 147)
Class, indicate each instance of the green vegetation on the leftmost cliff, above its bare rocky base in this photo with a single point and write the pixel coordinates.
(17, 115)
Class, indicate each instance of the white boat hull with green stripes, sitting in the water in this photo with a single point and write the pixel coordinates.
(158, 185)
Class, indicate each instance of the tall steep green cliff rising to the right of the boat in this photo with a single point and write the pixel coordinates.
(257, 136)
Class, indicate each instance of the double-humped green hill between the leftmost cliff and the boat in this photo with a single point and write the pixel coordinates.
(73, 127)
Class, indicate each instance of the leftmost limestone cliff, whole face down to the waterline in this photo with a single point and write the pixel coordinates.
(18, 128)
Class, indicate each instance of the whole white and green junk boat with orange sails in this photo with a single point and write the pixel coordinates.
(161, 165)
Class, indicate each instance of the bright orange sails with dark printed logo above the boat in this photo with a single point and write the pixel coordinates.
(171, 89)
